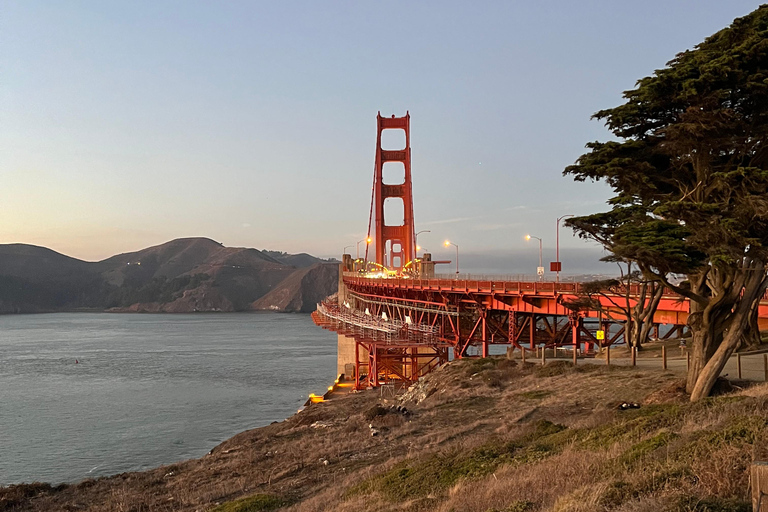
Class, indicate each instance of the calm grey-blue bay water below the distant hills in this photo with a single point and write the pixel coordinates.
(85, 395)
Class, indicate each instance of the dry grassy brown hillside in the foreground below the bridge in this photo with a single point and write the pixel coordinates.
(479, 435)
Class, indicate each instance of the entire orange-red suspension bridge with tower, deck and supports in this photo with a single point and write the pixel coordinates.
(398, 320)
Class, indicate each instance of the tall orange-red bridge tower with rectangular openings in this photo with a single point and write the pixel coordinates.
(394, 244)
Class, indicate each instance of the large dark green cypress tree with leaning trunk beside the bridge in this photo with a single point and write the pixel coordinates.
(689, 170)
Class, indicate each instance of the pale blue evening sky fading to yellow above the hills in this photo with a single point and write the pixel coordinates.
(128, 124)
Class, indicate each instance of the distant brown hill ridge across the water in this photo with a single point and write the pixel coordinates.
(183, 275)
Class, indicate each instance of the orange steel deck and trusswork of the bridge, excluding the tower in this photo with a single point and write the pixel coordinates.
(472, 312)
